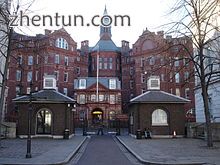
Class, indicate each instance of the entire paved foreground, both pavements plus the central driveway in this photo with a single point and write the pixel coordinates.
(178, 151)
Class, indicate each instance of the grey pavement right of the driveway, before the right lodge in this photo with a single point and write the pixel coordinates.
(178, 151)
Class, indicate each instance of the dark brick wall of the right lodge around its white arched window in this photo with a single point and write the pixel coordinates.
(142, 114)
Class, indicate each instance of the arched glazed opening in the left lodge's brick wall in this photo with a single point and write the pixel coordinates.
(44, 121)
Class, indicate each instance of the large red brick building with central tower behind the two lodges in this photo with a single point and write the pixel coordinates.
(56, 53)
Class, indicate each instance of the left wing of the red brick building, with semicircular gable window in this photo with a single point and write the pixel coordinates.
(54, 53)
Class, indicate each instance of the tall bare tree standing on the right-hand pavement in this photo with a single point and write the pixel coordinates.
(199, 20)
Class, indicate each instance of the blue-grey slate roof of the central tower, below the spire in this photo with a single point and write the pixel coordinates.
(105, 45)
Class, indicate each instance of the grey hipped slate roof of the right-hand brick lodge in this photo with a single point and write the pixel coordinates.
(157, 96)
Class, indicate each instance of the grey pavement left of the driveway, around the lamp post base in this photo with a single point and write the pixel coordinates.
(44, 151)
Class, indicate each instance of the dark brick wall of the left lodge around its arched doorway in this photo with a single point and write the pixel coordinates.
(59, 112)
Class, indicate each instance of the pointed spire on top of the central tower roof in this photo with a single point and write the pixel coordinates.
(105, 31)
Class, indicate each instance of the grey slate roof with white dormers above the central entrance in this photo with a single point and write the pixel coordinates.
(102, 80)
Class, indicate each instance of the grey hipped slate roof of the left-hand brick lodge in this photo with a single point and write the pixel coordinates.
(45, 96)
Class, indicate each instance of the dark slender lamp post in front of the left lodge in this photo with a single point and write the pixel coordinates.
(28, 154)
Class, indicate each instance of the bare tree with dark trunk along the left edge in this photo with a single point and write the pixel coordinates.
(6, 38)
